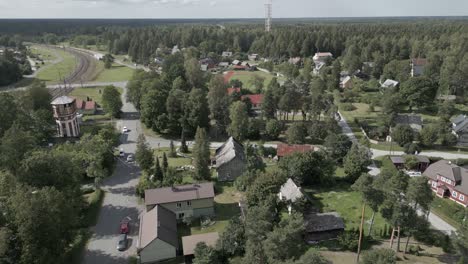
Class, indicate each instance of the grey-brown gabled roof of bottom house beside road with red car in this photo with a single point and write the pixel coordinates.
(159, 223)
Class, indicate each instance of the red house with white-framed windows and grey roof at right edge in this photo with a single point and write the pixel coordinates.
(448, 180)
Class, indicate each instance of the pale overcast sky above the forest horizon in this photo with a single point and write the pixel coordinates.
(227, 8)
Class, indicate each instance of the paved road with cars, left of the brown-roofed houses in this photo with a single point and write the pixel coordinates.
(120, 202)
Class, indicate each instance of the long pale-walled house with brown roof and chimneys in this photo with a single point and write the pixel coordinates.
(192, 200)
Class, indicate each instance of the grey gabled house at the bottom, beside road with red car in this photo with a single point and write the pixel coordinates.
(157, 238)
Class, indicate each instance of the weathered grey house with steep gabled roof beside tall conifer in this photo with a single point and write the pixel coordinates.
(230, 161)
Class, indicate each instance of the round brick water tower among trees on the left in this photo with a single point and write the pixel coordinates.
(65, 115)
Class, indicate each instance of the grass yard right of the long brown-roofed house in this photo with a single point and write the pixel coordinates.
(226, 207)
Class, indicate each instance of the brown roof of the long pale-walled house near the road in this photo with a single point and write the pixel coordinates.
(179, 193)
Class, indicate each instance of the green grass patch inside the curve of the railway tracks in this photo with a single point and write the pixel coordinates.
(54, 73)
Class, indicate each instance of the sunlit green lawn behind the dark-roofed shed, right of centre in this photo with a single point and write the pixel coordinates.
(347, 203)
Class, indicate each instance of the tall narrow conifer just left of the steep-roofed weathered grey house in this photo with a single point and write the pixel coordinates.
(201, 155)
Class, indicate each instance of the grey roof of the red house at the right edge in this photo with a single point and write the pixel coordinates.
(450, 171)
